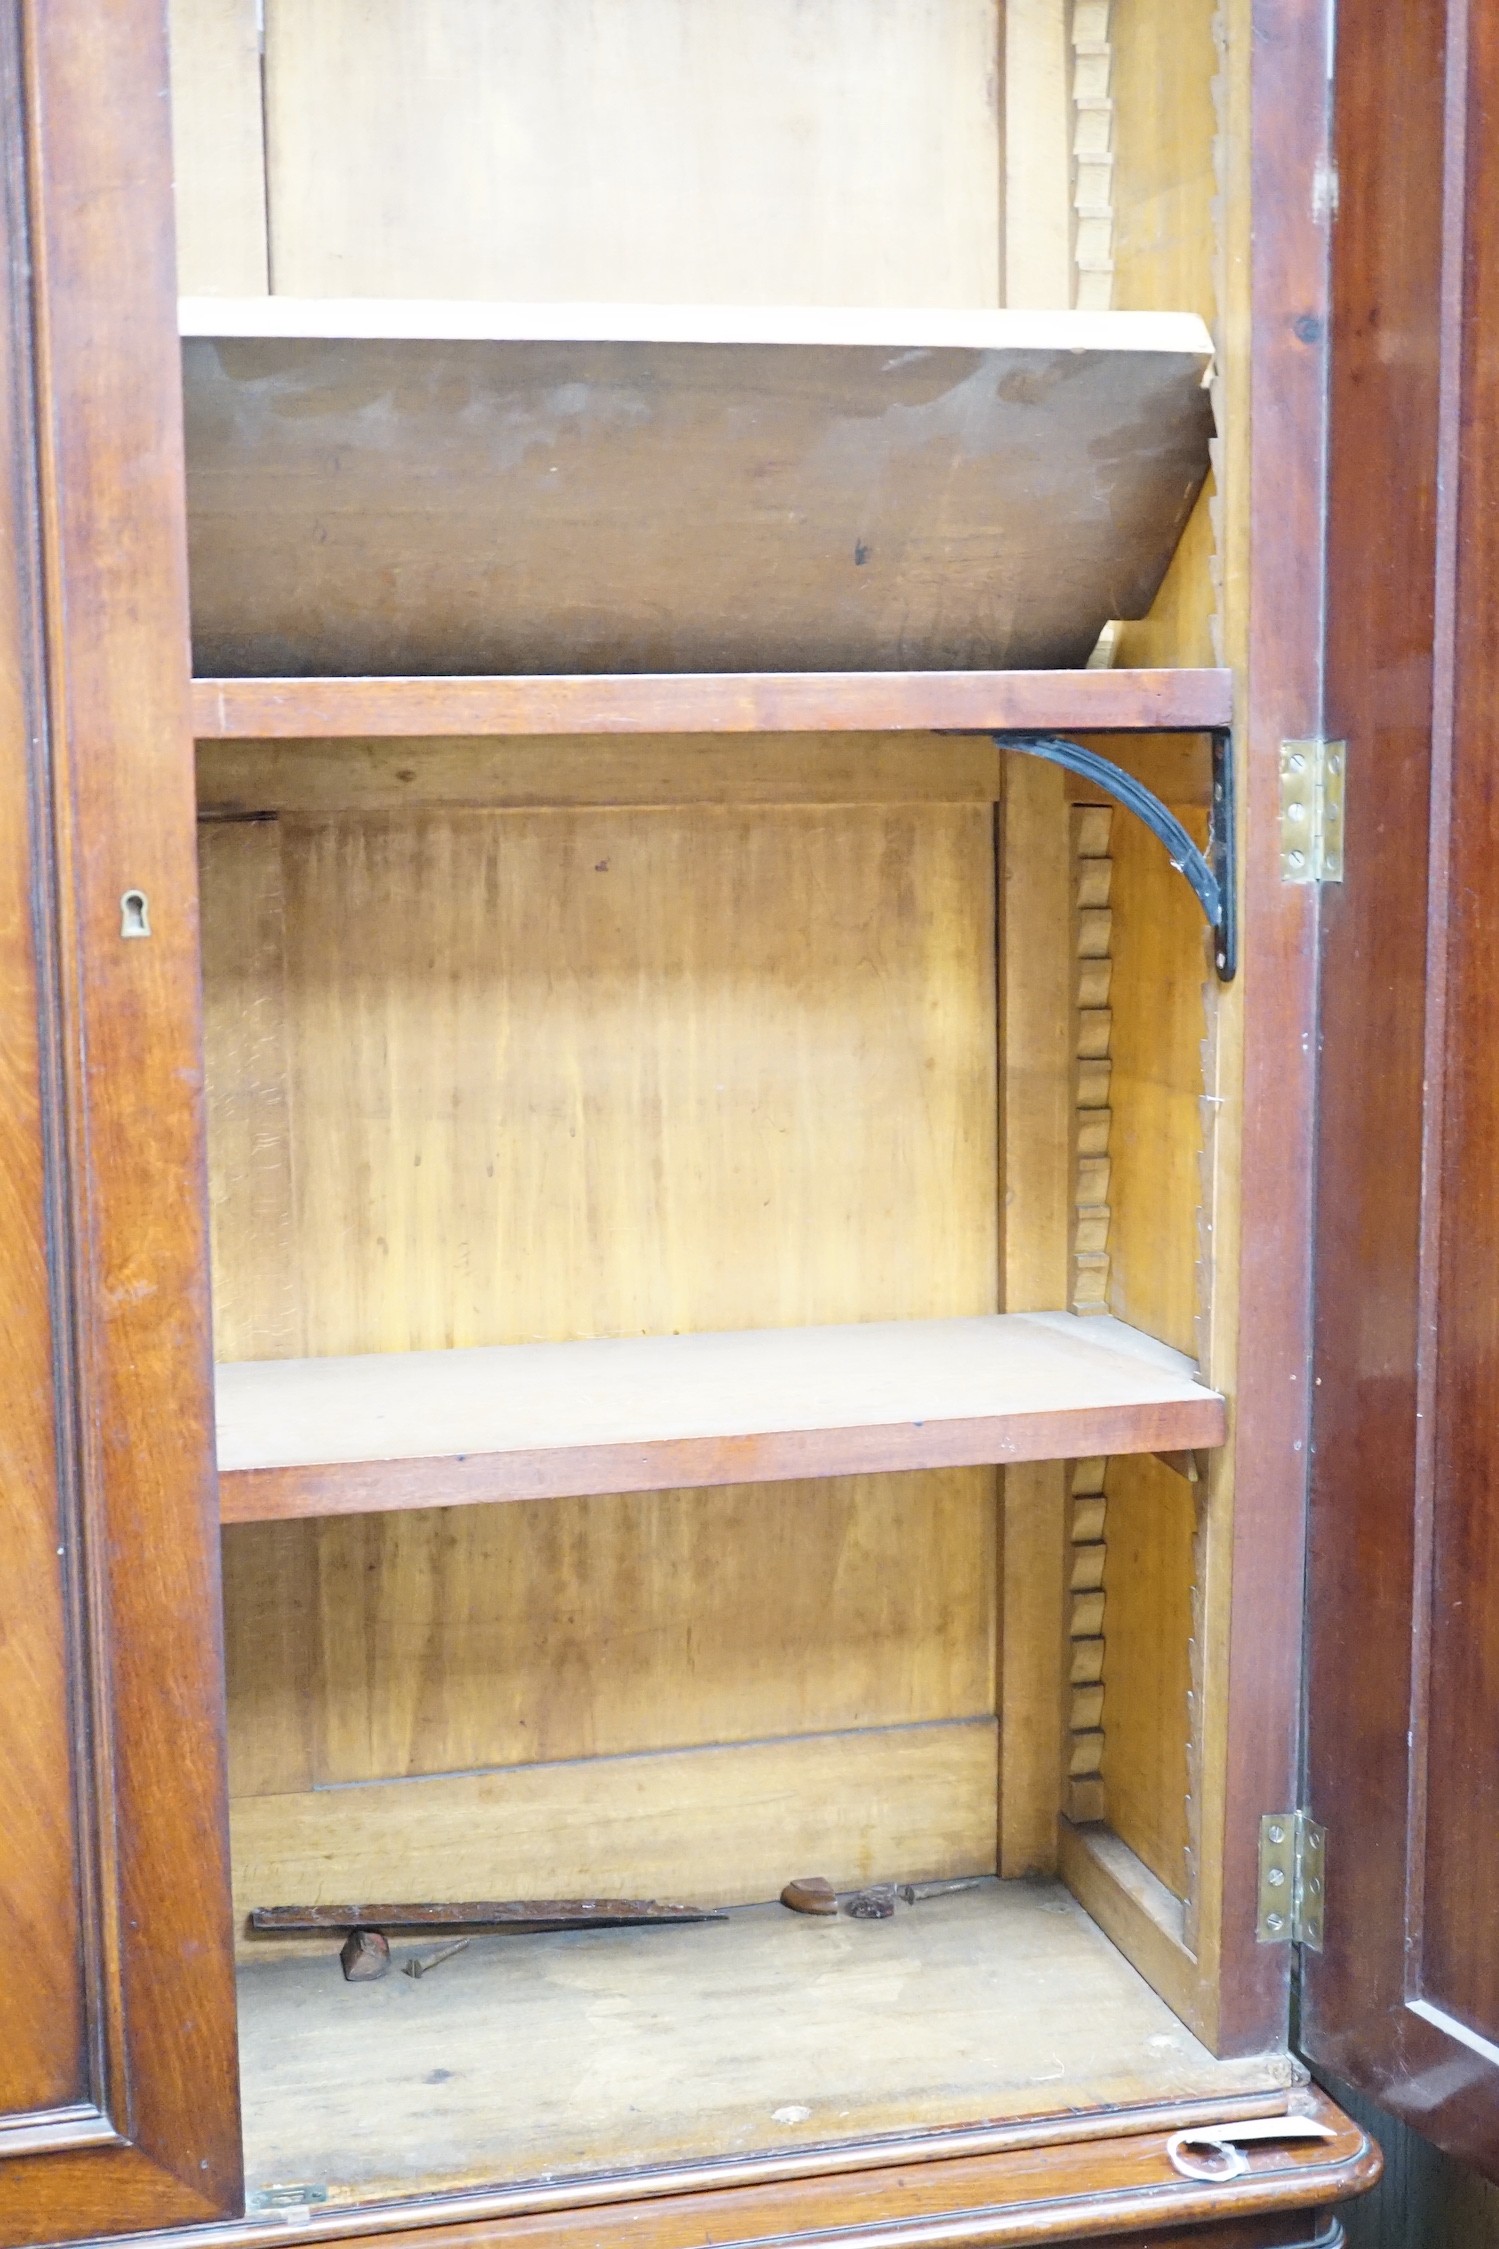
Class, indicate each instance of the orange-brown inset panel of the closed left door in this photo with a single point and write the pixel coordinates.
(55, 2036)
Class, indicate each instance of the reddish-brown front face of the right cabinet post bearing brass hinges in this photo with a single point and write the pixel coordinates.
(1280, 948)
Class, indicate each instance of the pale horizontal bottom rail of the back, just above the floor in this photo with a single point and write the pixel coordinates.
(727, 1823)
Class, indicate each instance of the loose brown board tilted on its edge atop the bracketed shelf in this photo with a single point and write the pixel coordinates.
(388, 489)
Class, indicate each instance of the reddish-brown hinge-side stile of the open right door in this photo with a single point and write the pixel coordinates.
(1388, 372)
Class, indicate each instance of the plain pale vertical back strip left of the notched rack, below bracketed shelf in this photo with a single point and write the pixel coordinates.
(1037, 1186)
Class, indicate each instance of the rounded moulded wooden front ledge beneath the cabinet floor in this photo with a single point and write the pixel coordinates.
(1062, 2194)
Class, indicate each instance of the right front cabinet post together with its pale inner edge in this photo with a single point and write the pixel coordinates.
(1275, 383)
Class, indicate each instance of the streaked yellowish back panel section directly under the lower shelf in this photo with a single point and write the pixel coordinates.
(448, 1641)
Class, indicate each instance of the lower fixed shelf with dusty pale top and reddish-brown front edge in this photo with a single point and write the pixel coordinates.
(547, 1420)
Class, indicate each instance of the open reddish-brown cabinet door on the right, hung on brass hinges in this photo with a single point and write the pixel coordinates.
(1403, 1593)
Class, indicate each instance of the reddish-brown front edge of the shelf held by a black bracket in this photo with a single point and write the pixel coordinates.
(714, 703)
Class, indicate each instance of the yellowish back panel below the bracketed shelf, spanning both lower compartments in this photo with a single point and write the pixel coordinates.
(487, 1076)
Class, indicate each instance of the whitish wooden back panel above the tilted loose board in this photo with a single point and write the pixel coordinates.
(756, 154)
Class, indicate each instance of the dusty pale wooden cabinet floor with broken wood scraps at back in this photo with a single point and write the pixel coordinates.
(534, 2057)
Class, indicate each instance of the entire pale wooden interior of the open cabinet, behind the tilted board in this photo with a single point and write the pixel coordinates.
(684, 1038)
